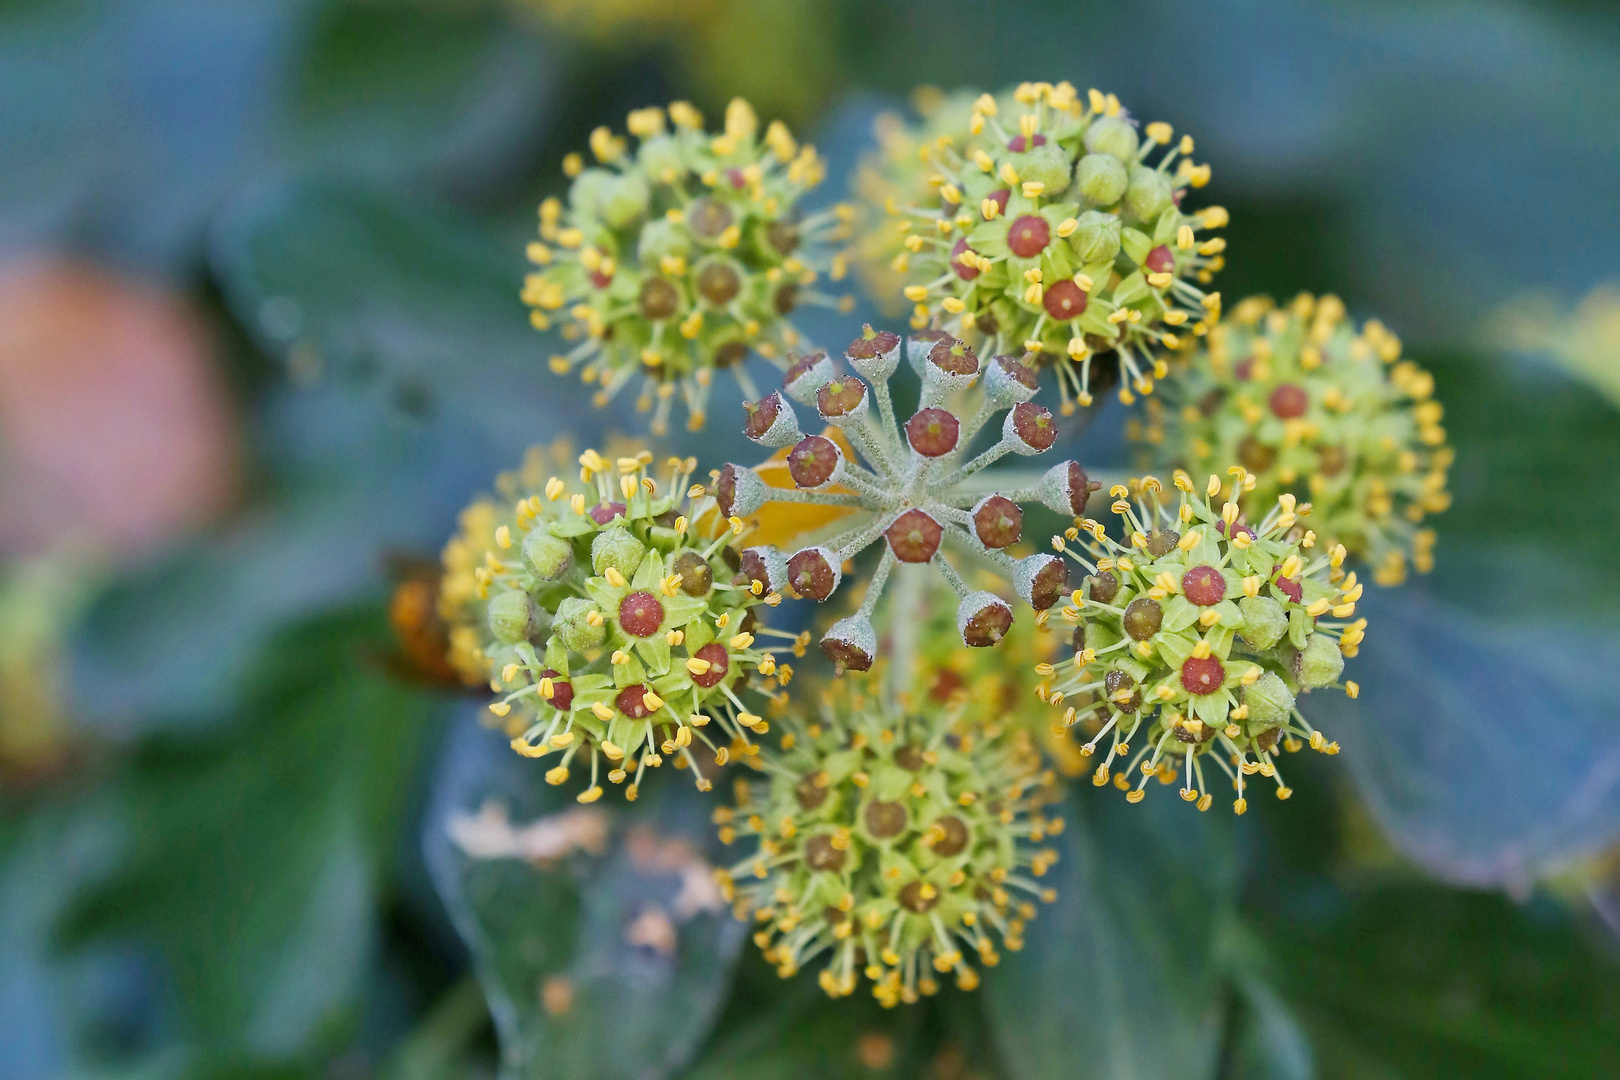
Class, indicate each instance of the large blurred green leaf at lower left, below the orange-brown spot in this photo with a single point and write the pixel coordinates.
(257, 856)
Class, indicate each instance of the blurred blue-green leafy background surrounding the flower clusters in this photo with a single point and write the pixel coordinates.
(260, 341)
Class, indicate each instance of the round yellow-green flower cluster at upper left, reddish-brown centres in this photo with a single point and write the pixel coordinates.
(683, 255)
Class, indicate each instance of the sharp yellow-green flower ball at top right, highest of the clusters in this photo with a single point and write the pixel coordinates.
(1054, 226)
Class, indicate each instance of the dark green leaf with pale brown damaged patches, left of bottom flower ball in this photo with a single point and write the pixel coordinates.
(600, 938)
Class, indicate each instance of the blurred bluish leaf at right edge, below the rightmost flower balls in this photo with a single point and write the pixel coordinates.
(1485, 747)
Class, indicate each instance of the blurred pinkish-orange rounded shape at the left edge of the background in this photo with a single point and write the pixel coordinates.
(114, 425)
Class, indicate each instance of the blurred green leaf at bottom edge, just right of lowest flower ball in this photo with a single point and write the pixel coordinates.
(1119, 977)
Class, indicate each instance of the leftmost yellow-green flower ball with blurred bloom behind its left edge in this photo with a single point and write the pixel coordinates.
(612, 621)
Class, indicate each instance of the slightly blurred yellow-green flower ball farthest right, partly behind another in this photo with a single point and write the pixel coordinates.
(1315, 407)
